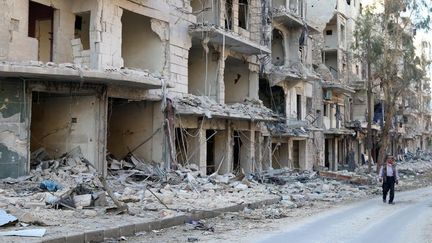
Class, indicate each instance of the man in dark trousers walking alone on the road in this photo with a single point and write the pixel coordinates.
(388, 175)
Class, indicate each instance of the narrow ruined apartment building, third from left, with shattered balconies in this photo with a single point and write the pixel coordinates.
(292, 89)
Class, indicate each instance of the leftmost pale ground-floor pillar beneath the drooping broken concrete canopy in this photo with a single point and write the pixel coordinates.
(197, 149)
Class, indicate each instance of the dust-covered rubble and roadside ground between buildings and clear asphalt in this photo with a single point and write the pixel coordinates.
(81, 203)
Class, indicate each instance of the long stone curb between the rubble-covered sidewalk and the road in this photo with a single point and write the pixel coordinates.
(98, 235)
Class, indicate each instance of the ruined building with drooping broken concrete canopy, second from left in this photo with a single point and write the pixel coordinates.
(220, 123)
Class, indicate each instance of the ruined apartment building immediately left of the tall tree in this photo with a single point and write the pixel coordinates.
(338, 70)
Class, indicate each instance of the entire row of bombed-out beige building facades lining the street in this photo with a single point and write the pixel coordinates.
(229, 85)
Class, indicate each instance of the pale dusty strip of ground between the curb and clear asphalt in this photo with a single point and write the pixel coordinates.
(233, 227)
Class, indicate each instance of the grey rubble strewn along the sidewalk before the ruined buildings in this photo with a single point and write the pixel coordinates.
(68, 190)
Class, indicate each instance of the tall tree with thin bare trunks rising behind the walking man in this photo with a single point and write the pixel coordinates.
(385, 41)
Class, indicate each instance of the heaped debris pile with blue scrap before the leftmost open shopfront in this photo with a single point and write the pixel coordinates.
(68, 182)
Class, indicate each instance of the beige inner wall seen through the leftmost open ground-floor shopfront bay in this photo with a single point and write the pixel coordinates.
(61, 122)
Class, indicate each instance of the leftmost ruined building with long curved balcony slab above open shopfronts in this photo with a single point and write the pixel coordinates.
(87, 74)
